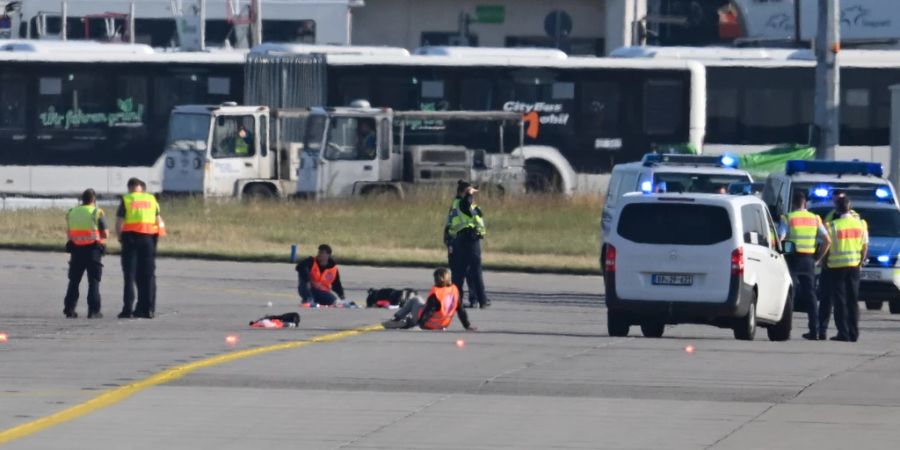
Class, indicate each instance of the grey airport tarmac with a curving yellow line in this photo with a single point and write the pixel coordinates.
(540, 374)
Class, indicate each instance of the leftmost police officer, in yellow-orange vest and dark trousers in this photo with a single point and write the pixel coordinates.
(86, 235)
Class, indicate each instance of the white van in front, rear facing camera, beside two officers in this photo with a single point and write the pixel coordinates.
(696, 258)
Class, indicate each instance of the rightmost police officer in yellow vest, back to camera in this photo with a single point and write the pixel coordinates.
(840, 278)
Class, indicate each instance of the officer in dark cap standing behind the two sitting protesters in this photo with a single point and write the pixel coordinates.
(466, 230)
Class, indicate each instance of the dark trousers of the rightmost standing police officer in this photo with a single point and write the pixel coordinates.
(841, 289)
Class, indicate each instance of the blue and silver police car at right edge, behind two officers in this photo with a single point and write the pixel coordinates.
(880, 274)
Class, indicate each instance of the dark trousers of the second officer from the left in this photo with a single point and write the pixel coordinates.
(139, 268)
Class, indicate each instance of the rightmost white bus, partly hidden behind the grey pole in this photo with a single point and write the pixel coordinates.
(762, 98)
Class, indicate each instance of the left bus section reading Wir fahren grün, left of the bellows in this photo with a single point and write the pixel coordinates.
(82, 114)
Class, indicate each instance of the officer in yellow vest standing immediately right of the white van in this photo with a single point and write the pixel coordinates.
(804, 229)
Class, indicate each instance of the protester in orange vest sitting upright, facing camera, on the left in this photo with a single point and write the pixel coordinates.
(319, 279)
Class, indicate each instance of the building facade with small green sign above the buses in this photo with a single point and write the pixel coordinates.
(586, 27)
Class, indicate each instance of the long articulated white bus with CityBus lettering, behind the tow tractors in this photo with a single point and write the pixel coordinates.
(84, 114)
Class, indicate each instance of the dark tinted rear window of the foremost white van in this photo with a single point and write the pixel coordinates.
(674, 224)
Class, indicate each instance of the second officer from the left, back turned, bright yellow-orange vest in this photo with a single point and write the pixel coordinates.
(139, 225)
